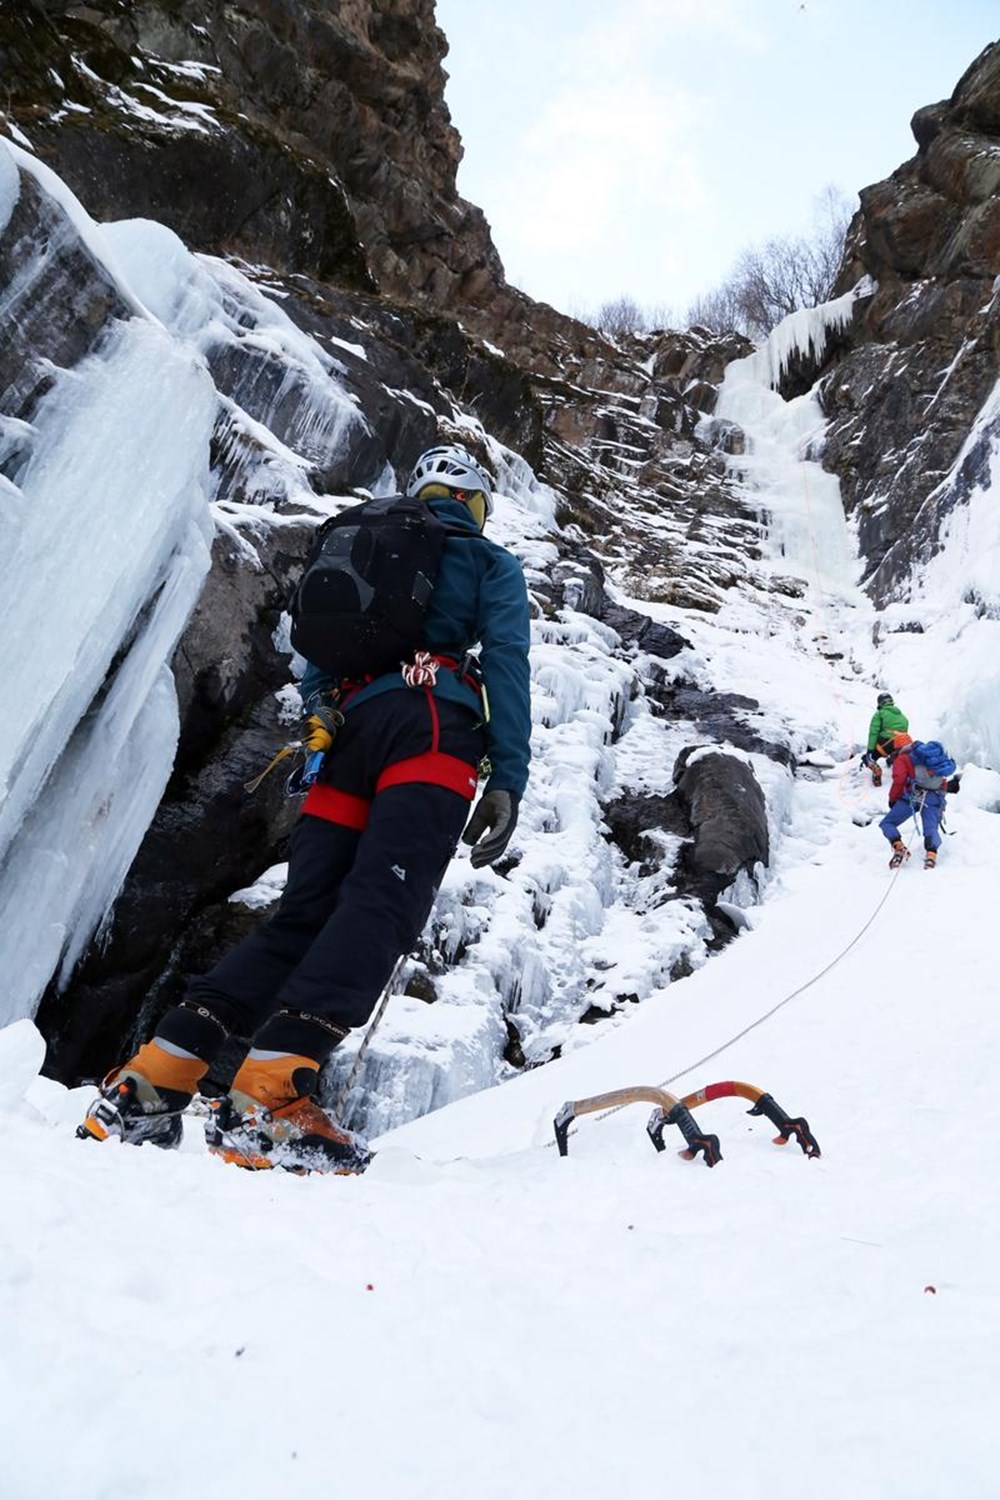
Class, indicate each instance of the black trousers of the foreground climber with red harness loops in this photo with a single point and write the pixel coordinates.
(358, 898)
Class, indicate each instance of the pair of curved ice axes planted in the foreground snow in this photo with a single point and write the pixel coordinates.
(671, 1111)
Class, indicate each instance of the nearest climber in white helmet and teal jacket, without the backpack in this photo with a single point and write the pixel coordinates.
(368, 854)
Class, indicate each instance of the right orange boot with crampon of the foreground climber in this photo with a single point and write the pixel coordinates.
(271, 1120)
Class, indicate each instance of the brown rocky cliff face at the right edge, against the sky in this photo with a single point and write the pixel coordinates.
(924, 352)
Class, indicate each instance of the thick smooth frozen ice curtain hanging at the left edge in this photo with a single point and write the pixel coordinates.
(110, 553)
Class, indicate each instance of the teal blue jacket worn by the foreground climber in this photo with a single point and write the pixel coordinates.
(481, 599)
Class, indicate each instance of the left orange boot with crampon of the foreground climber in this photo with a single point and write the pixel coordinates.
(145, 1100)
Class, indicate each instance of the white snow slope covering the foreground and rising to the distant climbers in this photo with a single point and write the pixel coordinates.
(478, 1318)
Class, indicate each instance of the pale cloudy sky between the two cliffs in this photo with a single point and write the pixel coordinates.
(639, 146)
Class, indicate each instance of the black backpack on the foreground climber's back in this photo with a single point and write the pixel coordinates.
(361, 604)
